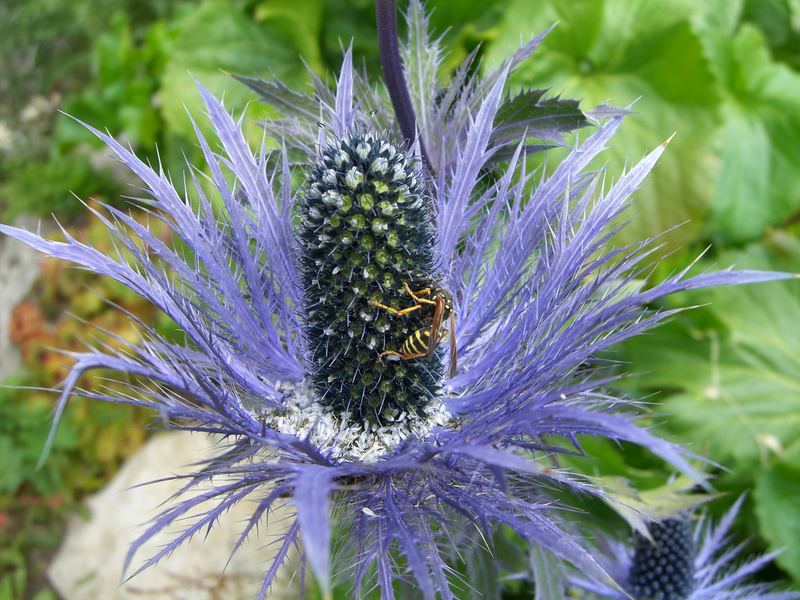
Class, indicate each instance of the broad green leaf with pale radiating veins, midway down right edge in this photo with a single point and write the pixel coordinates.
(734, 393)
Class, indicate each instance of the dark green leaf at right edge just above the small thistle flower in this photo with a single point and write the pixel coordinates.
(777, 497)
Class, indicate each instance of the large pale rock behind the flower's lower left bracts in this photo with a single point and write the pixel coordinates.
(89, 563)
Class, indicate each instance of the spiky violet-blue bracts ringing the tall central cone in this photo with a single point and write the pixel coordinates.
(537, 282)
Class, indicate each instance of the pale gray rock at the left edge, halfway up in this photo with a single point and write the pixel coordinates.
(19, 268)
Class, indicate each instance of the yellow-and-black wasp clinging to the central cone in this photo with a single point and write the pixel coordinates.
(423, 342)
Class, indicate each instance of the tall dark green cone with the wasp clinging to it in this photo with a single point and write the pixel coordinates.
(365, 230)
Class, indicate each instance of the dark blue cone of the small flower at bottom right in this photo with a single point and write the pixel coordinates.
(664, 568)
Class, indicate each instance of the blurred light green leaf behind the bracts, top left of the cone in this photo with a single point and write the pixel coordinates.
(215, 39)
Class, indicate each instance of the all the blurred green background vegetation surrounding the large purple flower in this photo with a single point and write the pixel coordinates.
(724, 74)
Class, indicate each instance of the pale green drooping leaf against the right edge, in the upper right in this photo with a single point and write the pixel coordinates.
(759, 178)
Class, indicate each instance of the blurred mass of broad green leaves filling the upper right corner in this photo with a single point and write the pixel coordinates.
(702, 70)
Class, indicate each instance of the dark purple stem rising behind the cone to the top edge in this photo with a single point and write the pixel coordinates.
(386, 13)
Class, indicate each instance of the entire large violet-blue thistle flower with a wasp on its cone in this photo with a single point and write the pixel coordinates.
(300, 352)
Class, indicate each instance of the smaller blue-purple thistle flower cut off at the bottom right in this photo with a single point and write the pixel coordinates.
(682, 562)
